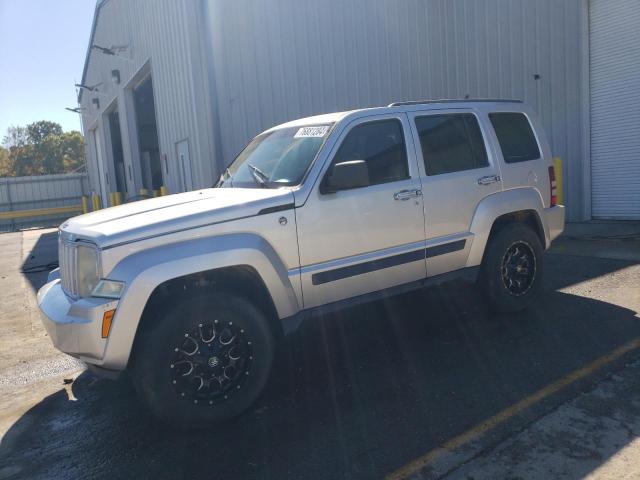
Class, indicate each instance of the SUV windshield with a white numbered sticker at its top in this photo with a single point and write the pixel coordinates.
(277, 158)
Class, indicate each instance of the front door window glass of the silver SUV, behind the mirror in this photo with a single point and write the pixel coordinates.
(381, 145)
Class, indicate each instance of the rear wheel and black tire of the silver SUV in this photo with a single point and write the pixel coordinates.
(512, 268)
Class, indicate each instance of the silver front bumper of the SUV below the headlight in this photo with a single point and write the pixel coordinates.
(75, 326)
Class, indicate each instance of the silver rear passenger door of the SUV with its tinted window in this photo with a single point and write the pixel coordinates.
(458, 169)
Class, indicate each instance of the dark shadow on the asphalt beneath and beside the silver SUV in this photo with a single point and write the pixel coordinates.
(354, 394)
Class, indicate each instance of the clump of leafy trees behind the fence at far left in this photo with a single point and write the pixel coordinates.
(41, 148)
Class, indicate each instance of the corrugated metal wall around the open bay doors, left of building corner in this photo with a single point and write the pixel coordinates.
(164, 33)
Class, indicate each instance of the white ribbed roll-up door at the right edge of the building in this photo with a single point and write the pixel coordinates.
(615, 108)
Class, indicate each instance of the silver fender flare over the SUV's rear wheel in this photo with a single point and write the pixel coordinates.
(496, 205)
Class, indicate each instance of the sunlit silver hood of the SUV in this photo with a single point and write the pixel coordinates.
(157, 216)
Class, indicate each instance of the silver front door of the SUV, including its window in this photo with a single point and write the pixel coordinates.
(370, 238)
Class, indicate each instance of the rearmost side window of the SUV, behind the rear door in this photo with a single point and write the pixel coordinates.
(515, 135)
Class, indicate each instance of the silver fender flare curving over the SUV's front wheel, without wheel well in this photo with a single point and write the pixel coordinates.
(145, 270)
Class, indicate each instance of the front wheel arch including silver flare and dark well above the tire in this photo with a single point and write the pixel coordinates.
(225, 262)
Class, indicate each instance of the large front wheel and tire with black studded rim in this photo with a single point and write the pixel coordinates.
(187, 374)
